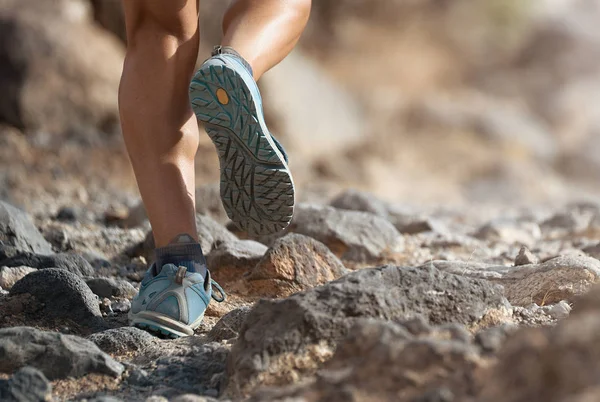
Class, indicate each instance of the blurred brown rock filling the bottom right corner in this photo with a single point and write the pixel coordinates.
(550, 364)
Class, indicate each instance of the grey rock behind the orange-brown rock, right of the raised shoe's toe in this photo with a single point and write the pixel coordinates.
(351, 235)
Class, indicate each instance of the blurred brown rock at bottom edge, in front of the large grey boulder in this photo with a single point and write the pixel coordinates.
(385, 362)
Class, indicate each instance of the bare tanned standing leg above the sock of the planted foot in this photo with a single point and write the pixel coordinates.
(160, 130)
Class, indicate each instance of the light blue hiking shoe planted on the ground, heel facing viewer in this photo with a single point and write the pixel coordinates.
(172, 303)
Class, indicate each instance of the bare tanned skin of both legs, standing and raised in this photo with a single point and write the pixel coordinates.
(160, 130)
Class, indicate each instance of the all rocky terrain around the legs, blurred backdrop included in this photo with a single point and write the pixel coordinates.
(445, 246)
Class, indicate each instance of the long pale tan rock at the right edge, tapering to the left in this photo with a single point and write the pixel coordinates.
(560, 278)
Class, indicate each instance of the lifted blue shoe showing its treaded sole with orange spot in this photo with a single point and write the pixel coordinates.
(257, 189)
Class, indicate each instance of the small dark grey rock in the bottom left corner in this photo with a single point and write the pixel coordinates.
(26, 385)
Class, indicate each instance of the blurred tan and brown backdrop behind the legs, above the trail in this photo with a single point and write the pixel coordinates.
(421, 102)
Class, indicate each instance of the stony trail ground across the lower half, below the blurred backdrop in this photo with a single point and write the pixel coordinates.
(360, 300)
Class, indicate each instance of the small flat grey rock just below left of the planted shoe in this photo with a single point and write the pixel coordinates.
(123, 340)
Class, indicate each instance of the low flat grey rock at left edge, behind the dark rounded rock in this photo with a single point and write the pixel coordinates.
(73, 263)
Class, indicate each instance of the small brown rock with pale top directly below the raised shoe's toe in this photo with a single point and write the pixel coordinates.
(229, 261)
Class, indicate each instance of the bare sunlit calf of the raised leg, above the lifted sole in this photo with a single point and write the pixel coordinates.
(264, 31)
